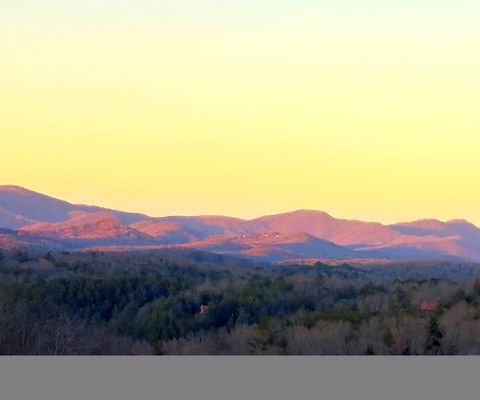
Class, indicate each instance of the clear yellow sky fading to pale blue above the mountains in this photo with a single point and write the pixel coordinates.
(364, 109)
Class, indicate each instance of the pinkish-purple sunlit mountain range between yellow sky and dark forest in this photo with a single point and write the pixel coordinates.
(32, 219)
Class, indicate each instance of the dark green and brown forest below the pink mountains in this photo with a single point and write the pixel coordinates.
(191, 302)
